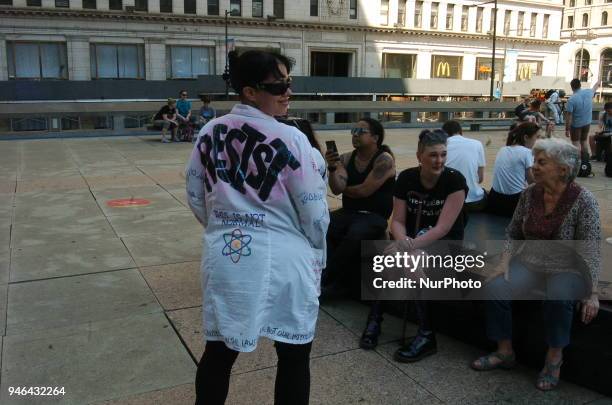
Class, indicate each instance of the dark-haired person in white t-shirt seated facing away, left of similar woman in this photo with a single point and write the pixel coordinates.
(467, 156)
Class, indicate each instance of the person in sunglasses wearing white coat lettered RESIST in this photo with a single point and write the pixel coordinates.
(254, 185)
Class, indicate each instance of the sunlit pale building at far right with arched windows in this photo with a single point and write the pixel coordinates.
(588, 35)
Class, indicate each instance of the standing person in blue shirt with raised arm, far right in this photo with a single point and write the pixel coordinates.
(579, 115)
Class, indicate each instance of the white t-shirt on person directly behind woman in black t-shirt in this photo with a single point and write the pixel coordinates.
(466, 156)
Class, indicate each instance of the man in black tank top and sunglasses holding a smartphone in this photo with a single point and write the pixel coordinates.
(365, 178)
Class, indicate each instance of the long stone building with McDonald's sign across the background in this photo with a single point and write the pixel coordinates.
(84, 40)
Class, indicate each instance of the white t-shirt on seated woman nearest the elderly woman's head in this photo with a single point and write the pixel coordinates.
(509, 173)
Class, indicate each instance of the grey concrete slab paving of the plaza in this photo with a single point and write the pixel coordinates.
(105, 301)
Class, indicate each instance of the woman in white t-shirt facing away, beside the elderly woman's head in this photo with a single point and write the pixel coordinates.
(512, 169)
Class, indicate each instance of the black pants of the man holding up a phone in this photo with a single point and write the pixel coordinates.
(346, 231)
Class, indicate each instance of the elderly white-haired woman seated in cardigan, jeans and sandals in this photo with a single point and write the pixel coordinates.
(553, 209)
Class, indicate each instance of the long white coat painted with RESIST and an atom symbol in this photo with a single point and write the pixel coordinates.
(255, 186)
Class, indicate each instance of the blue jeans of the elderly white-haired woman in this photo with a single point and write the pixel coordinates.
(562, 290)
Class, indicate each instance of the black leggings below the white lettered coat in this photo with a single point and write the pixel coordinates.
(292, 386)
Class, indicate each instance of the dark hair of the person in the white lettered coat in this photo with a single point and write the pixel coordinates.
(253, 67)
